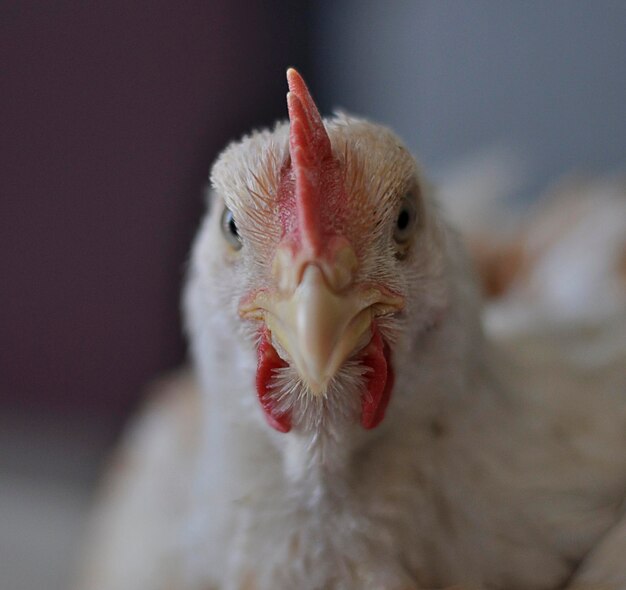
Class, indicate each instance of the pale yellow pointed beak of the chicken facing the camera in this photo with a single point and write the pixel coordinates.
(317, 326)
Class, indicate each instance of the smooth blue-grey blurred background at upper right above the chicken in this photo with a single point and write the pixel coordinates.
(547, 79)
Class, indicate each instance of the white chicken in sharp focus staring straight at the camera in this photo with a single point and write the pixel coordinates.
(347, 424)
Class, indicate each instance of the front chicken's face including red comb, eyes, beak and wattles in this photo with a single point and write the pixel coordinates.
(320, 223)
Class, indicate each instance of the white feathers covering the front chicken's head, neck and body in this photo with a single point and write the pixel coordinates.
(486, 472)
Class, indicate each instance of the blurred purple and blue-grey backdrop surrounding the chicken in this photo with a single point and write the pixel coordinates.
(110, 116)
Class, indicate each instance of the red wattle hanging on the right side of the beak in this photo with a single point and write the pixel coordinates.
(379, 383)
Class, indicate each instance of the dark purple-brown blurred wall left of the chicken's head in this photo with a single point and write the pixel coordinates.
(110, 115)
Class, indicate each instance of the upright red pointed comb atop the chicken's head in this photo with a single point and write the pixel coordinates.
(311, 154)
